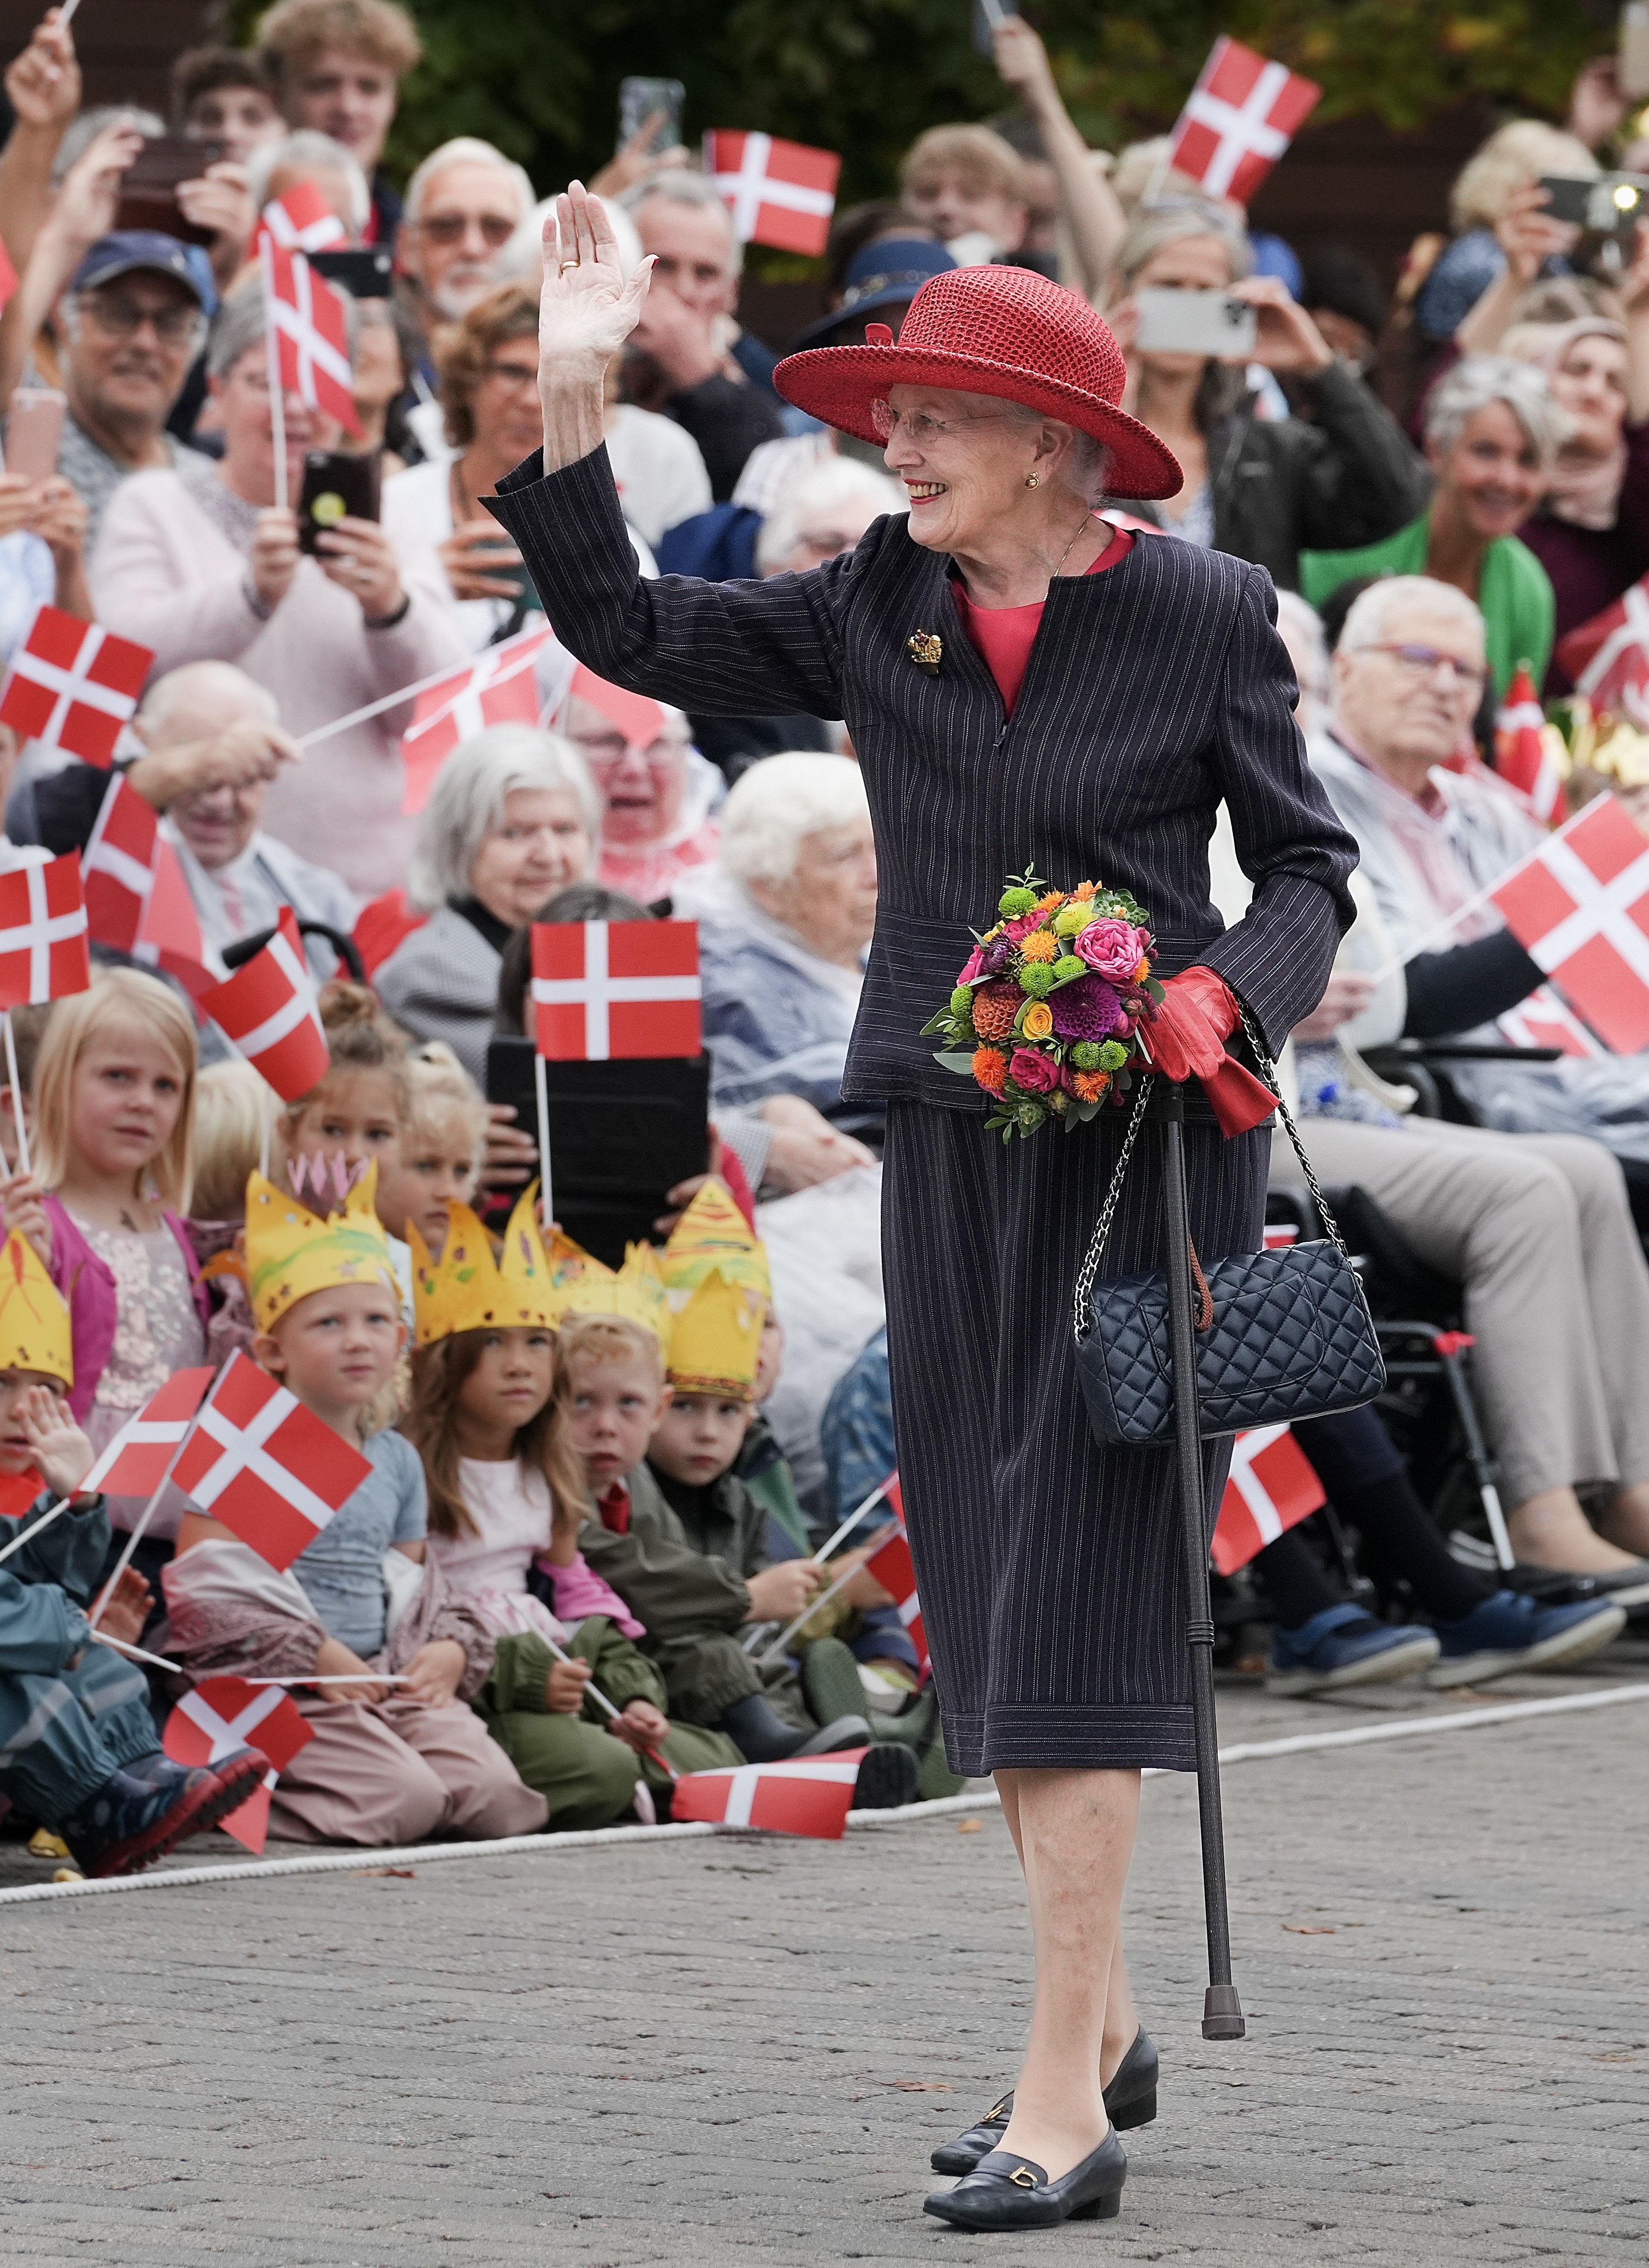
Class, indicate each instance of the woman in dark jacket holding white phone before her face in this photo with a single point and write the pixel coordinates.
(1190, 321)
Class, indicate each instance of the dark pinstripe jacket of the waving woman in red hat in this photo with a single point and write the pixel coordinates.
(1156, 691)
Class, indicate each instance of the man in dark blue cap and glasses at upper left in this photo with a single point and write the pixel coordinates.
(133, 325)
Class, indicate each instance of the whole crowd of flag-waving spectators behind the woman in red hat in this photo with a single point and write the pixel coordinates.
(1441, 482)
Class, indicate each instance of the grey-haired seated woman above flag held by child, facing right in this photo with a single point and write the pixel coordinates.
(509, 822)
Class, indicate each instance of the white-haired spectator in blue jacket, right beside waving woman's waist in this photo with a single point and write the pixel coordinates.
(786, 967)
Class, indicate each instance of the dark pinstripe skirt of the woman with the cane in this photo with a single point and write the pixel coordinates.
(1051, 1571)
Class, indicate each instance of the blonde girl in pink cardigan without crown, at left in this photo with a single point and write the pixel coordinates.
(115, 1165)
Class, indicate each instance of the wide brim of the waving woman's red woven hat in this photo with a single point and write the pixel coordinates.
(838, 387)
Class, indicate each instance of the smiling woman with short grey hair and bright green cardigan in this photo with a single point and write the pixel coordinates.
(1494, 434)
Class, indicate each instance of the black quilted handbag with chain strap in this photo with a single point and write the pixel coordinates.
(1280, 1335)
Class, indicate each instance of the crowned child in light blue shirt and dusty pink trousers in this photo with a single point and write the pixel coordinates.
(389, 1761)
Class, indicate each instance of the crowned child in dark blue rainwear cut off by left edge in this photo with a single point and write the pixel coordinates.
(78, 1747)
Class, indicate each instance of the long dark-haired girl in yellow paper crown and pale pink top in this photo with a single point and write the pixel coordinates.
(507, 1505)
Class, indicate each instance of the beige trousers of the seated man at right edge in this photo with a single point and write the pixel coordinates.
(1557, 1292)
